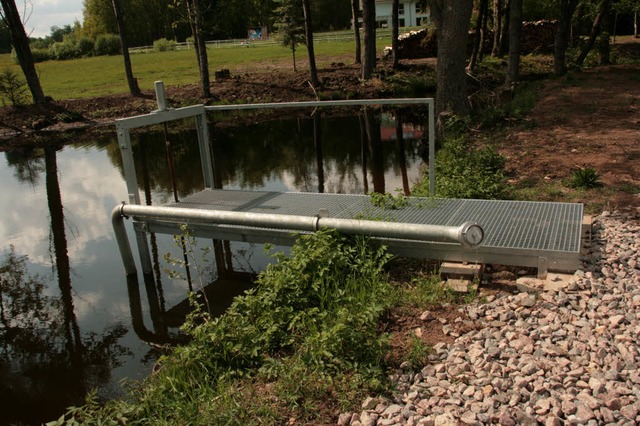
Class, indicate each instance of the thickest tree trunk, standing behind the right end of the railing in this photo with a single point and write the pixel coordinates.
(451, 20)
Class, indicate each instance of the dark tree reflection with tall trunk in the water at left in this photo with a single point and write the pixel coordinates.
(46, 363)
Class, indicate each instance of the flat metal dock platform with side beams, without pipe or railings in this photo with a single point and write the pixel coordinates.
(543, 235)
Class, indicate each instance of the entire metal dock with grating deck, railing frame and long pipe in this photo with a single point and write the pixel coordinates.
(542, 235)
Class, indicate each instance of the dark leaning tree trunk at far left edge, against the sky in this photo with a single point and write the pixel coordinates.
(20, 43)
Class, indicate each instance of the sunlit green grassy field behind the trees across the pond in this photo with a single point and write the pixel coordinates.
(104, 75)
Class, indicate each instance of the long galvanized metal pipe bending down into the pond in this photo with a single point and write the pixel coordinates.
(468, 234)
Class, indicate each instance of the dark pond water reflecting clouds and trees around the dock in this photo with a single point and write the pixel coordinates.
(70, 322)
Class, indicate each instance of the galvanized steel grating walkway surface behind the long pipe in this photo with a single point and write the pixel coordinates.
(512, 228)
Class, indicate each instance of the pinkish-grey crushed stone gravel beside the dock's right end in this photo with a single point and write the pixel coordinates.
(567, 357)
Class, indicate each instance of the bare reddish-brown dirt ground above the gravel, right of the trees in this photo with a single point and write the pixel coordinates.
(587, 119)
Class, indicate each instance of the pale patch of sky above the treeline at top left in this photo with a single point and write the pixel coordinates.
(47, 13)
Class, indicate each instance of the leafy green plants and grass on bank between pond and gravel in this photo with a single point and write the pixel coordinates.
(305, 340)
